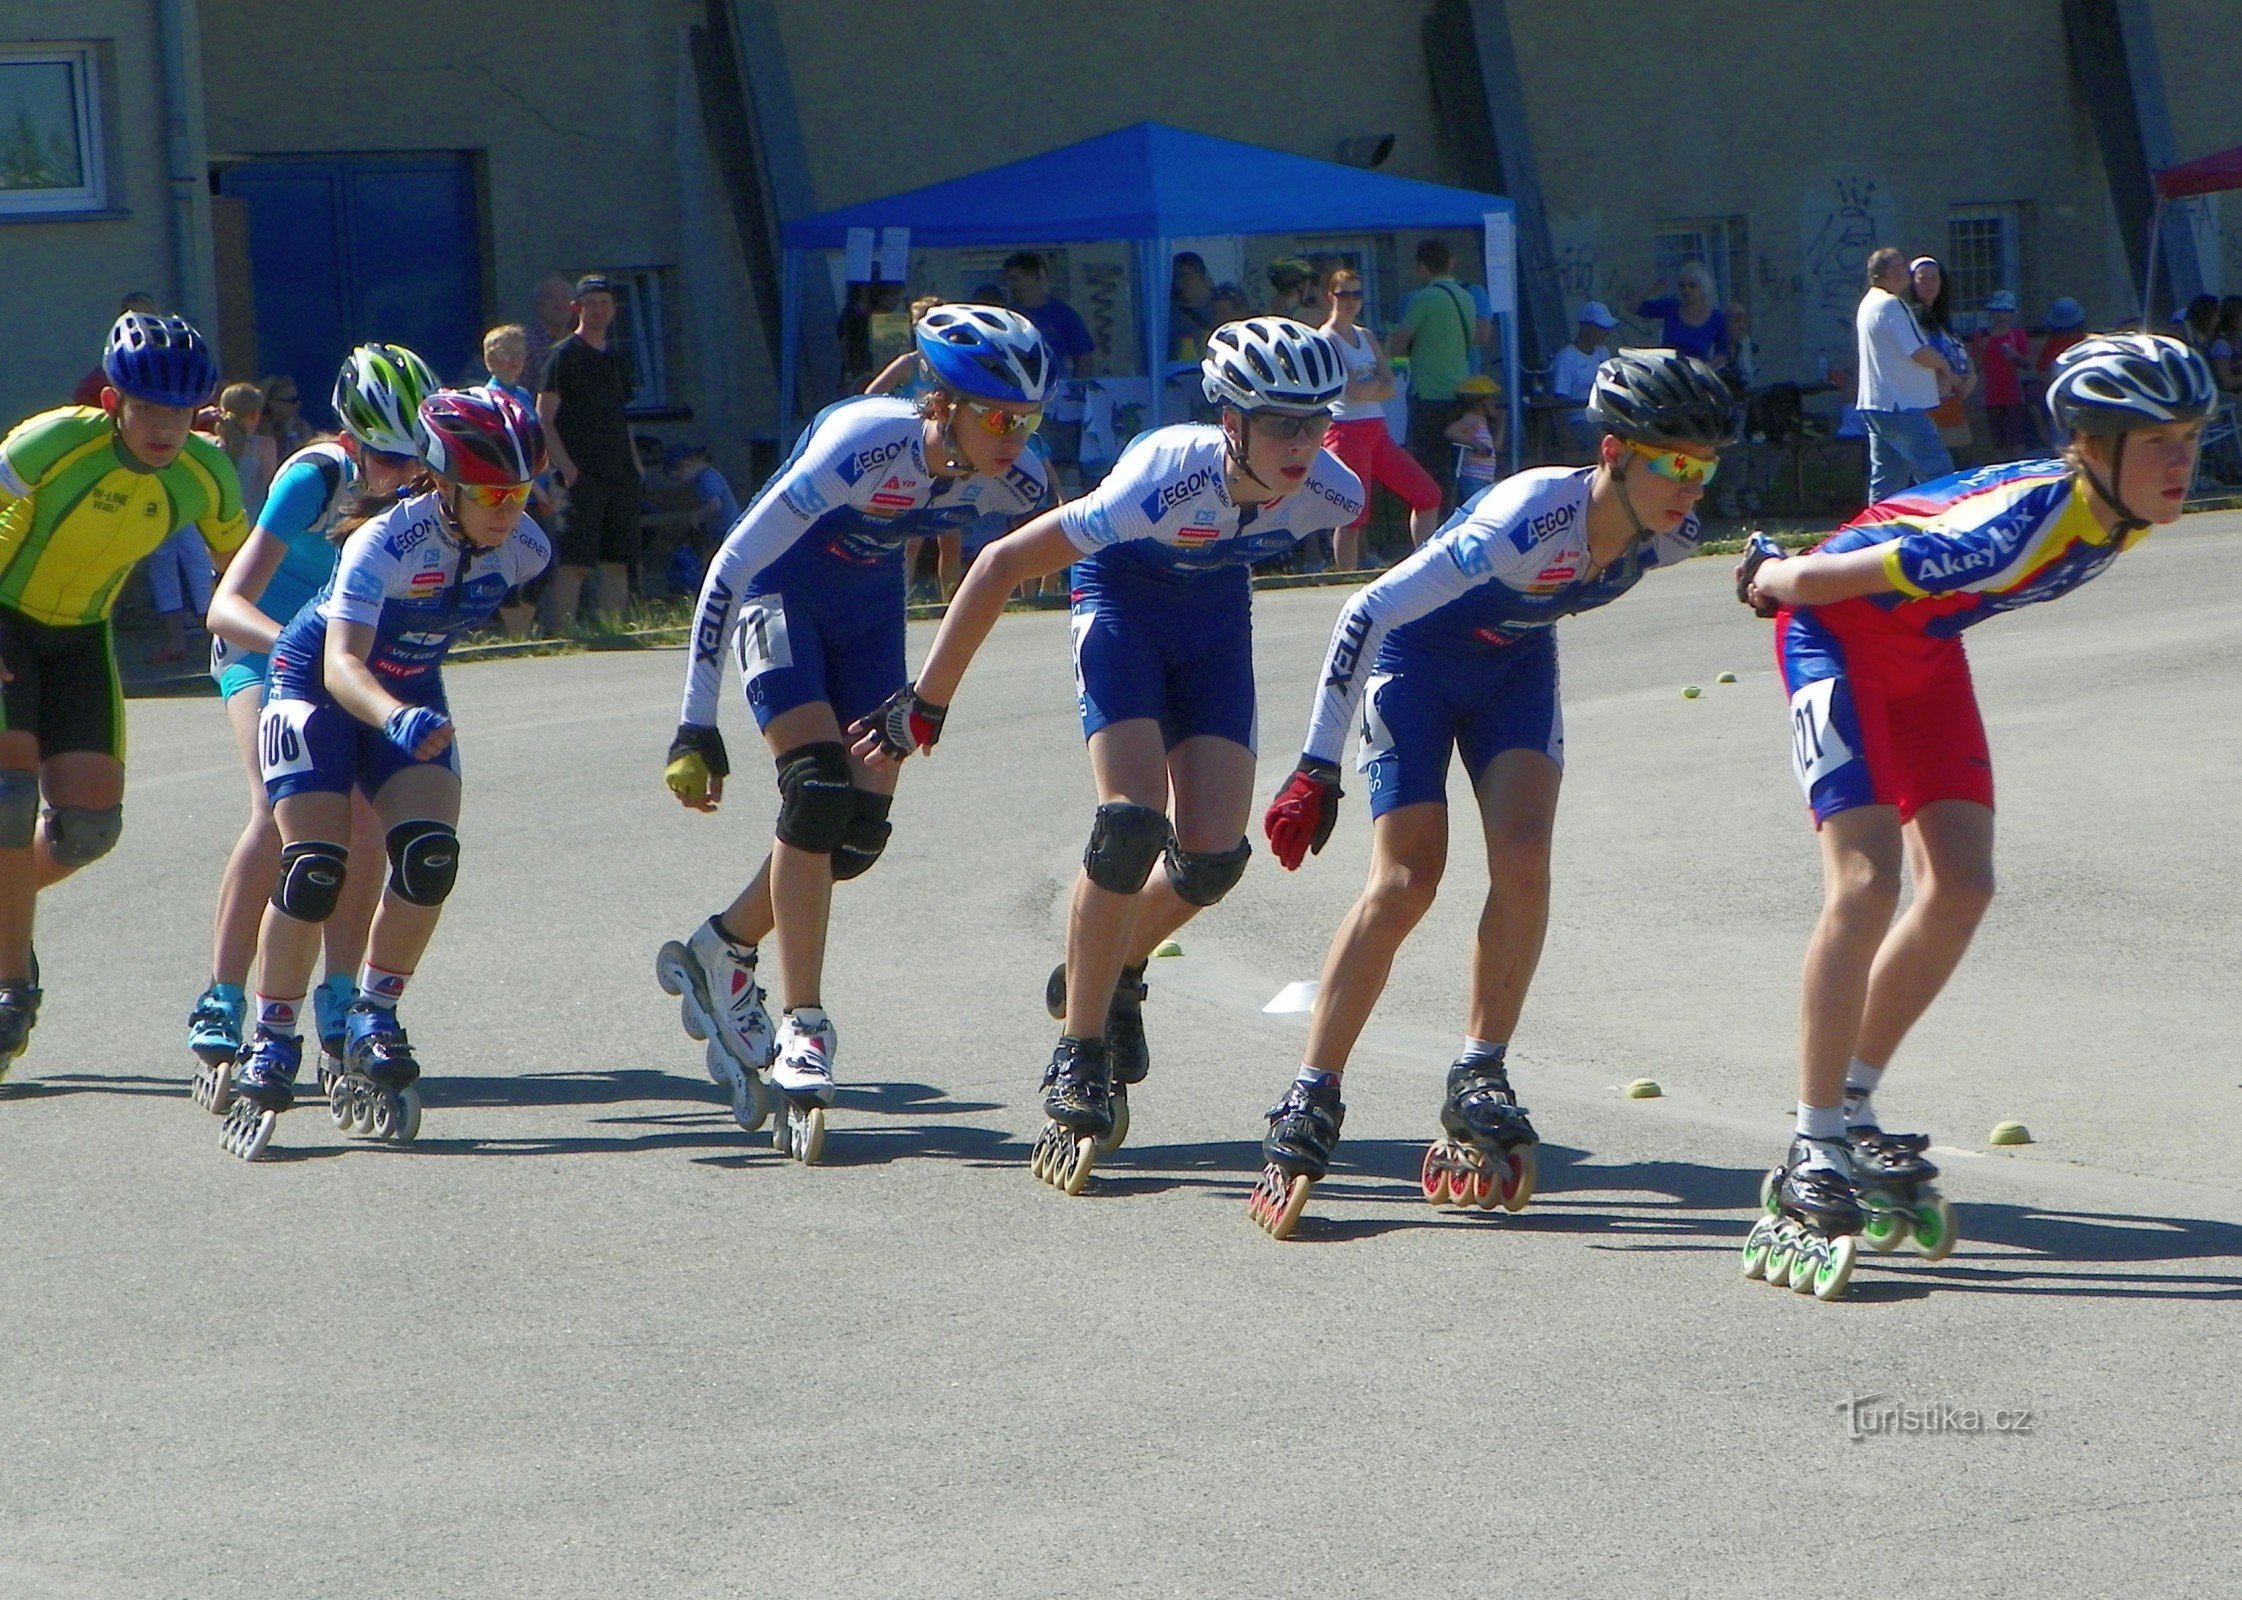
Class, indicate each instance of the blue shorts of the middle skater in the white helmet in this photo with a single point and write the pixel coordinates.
(1180, 655)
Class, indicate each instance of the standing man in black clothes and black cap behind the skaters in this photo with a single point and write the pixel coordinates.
(582, 398)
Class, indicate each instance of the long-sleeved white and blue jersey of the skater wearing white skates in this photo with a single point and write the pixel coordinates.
(831, 525)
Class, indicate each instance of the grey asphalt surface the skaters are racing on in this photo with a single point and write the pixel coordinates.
(586, 1339)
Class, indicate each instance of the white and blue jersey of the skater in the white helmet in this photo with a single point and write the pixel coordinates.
(1165, 512)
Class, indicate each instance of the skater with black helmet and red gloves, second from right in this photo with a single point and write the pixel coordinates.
(1456, 651)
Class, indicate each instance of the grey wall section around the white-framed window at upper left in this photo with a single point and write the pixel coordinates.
(62, 279)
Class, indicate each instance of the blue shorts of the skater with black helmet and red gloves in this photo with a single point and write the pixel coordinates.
(1423, 705)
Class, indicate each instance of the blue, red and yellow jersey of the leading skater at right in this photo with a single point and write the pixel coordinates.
(1979, 543)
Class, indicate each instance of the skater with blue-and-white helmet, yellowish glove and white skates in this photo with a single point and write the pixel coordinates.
(810, 582)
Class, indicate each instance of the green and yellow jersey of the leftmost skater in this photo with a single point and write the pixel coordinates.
(77, 512)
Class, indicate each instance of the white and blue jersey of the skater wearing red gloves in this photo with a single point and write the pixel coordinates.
(1506, 570)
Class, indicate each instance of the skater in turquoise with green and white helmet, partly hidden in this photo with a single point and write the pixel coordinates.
(288, 559)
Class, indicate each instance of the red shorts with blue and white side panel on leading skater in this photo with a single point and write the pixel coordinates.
(1880, 714)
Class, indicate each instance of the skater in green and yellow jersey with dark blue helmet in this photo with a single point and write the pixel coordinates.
(84, 496)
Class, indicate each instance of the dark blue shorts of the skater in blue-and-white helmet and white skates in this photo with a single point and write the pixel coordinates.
(842, 649)
